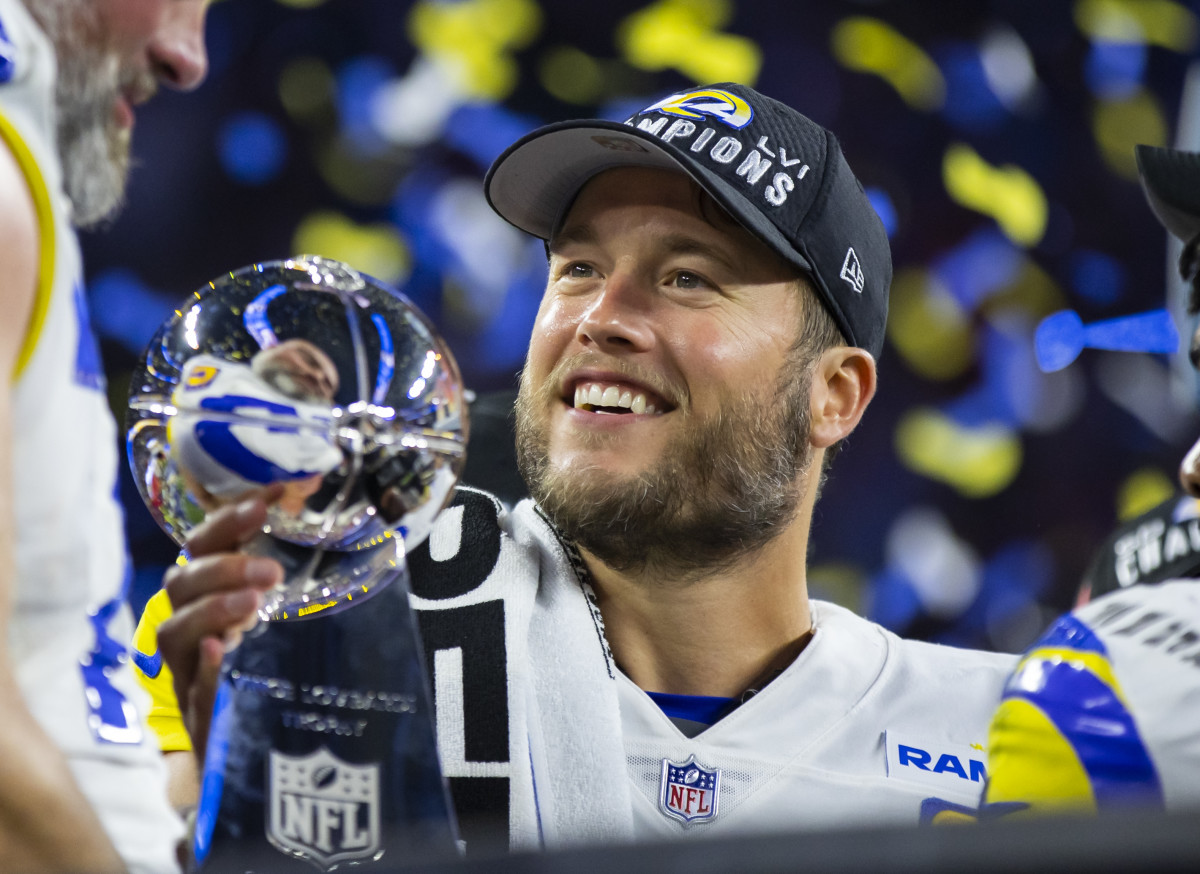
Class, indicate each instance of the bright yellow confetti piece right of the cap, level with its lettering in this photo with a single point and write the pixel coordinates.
(1007, 194)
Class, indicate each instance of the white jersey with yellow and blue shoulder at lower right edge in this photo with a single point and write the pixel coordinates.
(1103, 711)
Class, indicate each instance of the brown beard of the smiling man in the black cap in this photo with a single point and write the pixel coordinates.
(725, 489)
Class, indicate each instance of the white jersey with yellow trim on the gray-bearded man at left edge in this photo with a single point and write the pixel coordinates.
(71, 626)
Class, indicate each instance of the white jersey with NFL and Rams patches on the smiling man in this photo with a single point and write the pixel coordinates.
(862, 729)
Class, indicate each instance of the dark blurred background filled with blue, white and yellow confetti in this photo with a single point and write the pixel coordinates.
(967, 507)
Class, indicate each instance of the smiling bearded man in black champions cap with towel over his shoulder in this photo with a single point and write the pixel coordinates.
(716, 304)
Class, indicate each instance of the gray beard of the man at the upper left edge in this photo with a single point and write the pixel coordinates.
(93, 149)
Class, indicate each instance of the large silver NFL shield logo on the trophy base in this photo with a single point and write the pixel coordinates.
(323, 810)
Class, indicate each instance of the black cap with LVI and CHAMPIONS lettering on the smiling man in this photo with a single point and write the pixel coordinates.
(781, 175)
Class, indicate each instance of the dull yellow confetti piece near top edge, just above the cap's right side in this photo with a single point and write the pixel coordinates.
(871, 46)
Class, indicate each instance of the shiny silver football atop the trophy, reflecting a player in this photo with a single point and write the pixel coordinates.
(311, 375)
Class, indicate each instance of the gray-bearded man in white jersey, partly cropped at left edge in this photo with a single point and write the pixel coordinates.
(81, 782)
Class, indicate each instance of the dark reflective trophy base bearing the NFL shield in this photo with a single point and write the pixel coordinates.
(322, 751)
